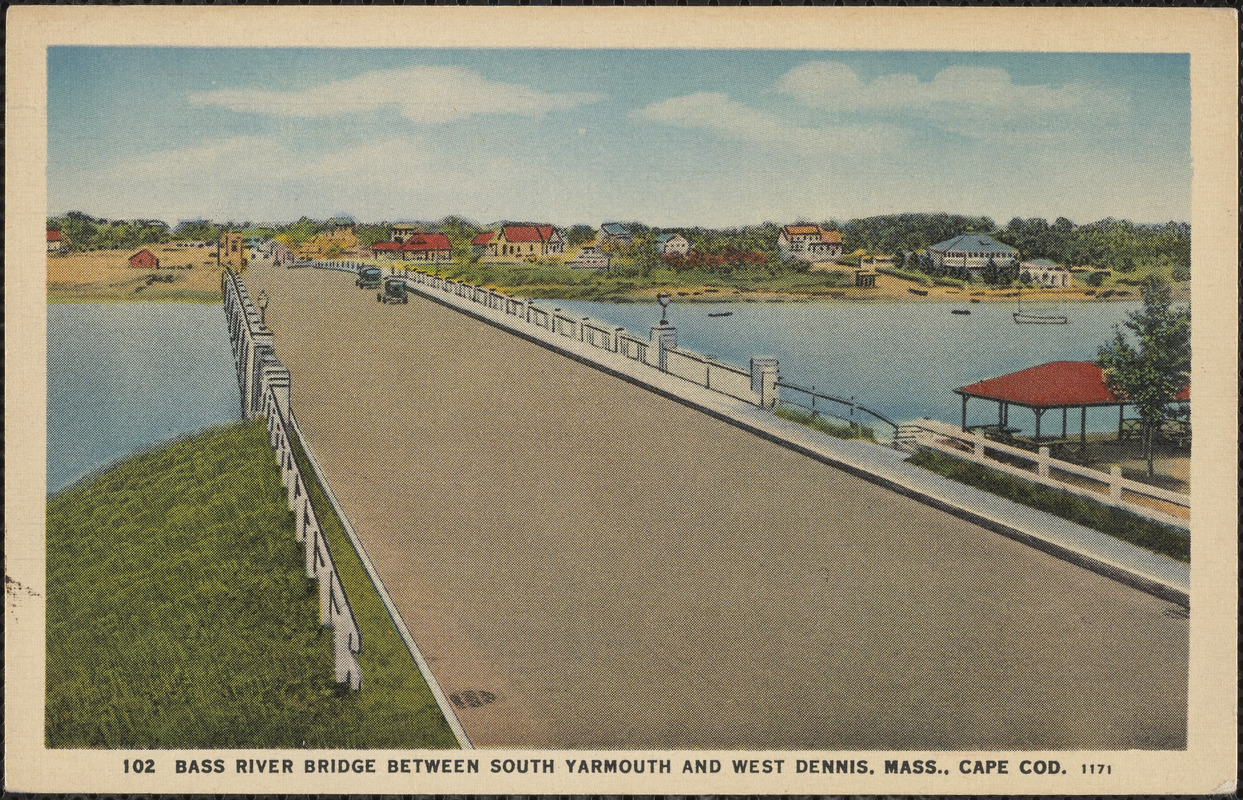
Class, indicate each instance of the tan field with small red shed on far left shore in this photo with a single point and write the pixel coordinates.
(106, 275)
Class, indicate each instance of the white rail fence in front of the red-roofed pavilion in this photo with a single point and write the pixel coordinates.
(1111, 489)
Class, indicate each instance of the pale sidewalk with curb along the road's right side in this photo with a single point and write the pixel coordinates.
(1149, 572)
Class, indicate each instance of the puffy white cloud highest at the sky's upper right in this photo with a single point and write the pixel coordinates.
(979, 94)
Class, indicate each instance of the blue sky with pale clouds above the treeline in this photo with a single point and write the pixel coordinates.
(671, 139)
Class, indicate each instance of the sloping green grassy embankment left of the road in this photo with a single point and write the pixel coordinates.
(180, 614)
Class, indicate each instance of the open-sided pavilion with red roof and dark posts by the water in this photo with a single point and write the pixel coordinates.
(1055, 386)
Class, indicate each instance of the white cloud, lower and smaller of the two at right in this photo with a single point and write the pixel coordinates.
(732, 120)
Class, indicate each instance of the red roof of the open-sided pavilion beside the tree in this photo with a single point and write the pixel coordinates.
(1053, 386)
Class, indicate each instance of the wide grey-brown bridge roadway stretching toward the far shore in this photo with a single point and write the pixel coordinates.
(621, 571)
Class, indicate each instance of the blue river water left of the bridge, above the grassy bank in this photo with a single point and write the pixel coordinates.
(124, 377)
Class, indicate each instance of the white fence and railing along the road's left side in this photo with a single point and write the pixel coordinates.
(265, 392)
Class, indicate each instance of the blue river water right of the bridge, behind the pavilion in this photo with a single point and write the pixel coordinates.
(902, 360)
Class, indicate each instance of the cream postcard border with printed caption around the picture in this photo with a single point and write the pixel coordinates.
(1209, 35)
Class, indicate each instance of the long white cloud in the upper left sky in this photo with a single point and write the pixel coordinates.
(424, 95)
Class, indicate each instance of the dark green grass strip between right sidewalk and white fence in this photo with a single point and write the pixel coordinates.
(1117, 522)
